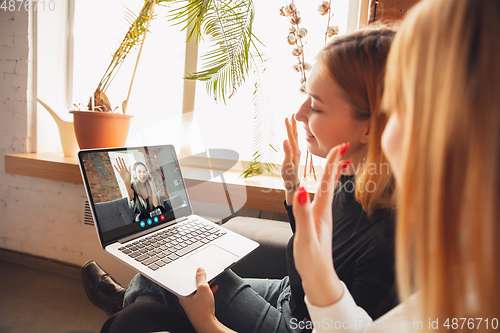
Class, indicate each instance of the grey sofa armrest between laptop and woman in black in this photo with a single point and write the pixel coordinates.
(269, 259)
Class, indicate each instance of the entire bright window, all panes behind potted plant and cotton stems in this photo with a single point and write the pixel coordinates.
(156, 96)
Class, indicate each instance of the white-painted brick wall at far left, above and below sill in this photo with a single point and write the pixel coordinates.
(37, 216)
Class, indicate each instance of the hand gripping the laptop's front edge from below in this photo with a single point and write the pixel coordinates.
(200, 306)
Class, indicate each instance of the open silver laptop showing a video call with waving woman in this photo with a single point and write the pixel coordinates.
(143, 217)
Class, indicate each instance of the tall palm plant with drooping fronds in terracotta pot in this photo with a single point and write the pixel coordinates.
(225, 66)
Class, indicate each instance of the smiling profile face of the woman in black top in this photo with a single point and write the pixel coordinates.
(328, 118)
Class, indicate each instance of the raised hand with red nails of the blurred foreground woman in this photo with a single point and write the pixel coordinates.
(312, 247)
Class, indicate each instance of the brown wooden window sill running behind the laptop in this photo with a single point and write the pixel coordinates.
(263, 192)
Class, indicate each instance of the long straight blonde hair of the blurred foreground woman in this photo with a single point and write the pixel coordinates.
(443, 82)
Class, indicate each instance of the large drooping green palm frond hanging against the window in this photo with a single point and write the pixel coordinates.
(228, 25)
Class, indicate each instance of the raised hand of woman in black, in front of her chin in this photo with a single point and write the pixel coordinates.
(290, 166)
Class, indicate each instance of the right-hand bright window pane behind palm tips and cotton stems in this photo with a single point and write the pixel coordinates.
(231, 126)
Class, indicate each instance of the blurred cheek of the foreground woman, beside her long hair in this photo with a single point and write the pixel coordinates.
(392, 139)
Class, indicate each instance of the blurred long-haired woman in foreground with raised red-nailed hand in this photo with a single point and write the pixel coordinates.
(443, 143)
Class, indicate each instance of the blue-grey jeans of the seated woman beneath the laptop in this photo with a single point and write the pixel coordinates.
(244, 305)
